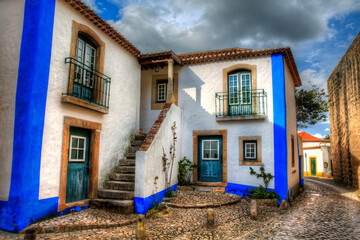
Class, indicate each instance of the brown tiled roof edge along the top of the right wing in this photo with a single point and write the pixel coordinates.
(231, 53)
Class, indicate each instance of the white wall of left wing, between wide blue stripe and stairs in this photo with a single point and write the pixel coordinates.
(123, 117)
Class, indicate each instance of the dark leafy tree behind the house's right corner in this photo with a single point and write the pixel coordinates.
(311, 106)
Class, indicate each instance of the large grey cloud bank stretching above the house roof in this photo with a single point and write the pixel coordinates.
(186, 26)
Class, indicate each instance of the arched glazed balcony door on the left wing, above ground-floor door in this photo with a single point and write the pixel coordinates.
(84, 76)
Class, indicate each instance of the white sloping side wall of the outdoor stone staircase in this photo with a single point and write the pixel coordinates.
(149, 163)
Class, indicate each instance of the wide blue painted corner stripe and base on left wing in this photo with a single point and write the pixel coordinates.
(24, 206)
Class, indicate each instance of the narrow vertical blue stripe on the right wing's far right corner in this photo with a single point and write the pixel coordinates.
(280, 141)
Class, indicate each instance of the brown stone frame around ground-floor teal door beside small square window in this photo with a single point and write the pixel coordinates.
(200, 133)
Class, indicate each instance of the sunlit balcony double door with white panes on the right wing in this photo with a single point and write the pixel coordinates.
(240, 94)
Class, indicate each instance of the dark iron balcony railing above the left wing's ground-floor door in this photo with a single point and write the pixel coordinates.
(88, 84)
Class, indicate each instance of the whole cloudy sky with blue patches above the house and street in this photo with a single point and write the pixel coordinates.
(318, 31)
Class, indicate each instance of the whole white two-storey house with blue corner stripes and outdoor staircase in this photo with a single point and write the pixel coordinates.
(75, 92)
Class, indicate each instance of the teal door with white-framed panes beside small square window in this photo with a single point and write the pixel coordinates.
(210, 159)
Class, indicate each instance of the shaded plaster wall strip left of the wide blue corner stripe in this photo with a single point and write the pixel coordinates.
(11, 24)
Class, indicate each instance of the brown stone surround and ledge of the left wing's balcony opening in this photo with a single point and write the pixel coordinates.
(99, 64)
